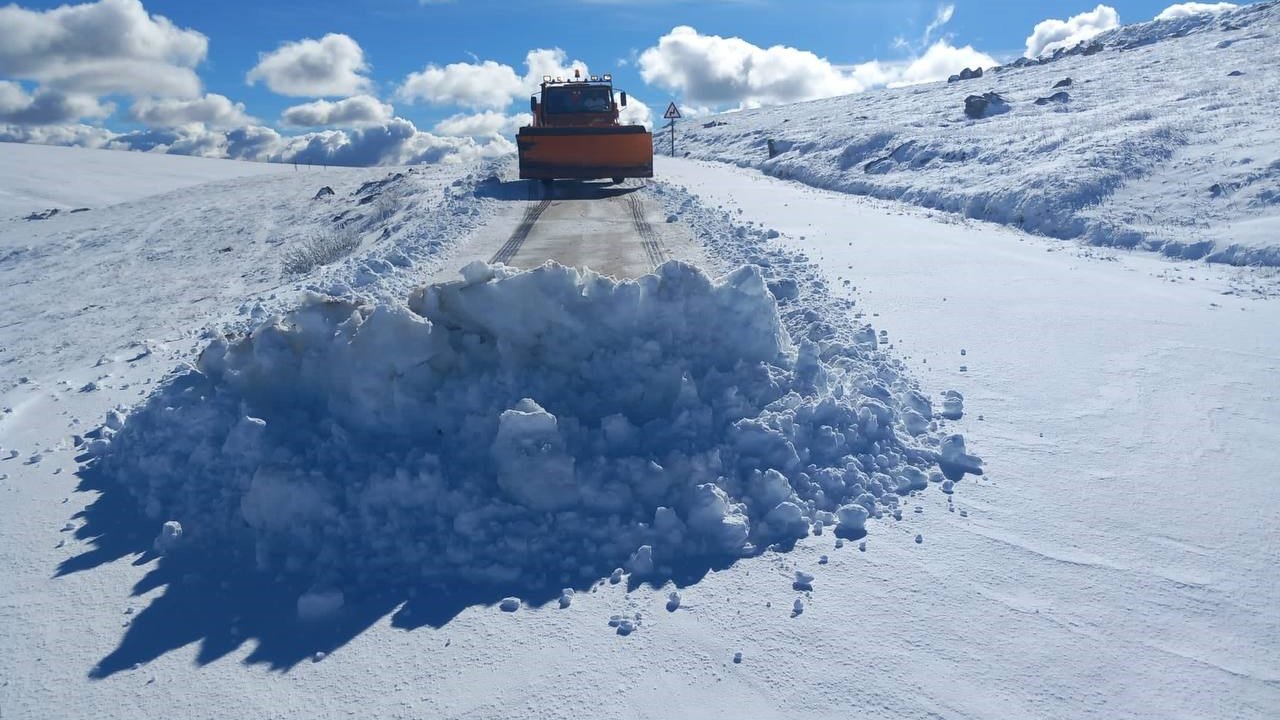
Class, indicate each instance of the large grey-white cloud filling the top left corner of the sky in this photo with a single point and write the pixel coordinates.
(102, 48)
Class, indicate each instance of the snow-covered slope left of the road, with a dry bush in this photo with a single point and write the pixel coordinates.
(144, 274)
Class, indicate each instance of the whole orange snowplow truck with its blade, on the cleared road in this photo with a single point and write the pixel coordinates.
(575, 134)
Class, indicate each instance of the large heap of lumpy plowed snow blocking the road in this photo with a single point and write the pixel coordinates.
(527, 429)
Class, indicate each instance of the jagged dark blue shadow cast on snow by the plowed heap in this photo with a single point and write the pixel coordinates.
(223, 603)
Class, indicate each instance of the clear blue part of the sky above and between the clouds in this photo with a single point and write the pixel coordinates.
(401, 37)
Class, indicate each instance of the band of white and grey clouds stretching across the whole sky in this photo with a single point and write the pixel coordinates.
(65, 74)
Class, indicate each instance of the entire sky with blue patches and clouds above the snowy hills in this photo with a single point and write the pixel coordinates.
(829, 48)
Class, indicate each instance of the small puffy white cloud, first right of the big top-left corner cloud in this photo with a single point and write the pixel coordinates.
(333, 66)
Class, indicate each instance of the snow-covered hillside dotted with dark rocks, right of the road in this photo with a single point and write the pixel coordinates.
(1162, 135)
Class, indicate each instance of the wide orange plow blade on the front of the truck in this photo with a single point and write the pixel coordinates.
(586, 153)
